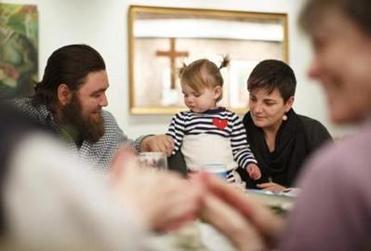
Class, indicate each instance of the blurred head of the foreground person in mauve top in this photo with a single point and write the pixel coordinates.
(340, 31)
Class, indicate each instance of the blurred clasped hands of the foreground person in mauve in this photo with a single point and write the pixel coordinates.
(248, 224)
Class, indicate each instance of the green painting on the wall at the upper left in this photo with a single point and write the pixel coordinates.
(18, 49)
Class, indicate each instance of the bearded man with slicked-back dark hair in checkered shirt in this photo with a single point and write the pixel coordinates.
(70, 99)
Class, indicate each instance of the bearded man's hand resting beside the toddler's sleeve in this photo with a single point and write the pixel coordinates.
(157, 143)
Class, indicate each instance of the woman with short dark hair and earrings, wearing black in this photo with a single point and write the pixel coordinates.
(280, 139)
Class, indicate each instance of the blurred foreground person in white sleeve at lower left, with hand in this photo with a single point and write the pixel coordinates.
(51, 200)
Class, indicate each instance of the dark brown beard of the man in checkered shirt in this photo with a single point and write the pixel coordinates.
(80, 127)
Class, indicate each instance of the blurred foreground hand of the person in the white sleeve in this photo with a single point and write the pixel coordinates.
(163, 200)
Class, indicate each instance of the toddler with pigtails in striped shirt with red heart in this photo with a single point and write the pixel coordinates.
(207, 134)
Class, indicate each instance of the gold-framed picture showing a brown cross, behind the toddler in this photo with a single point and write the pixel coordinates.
(161, 39)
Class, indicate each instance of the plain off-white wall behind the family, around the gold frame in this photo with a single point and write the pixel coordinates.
(102, 24)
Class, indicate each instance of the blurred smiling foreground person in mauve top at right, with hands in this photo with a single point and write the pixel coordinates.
(333, 211)
